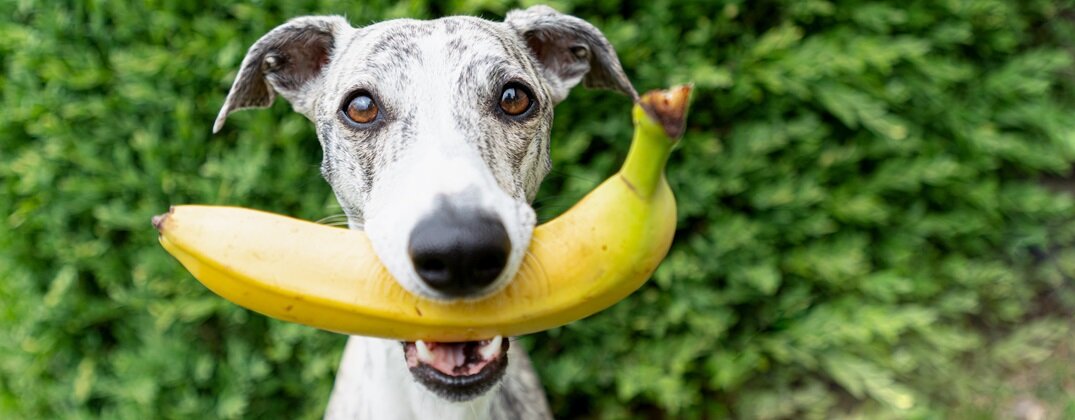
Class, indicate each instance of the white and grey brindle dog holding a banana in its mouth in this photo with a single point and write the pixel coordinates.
(436, 138)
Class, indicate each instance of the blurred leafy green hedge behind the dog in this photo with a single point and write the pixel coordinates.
(863, 223)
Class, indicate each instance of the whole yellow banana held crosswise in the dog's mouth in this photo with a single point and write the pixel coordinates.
(587, 259)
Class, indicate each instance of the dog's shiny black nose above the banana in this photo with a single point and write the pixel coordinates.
(460, 253)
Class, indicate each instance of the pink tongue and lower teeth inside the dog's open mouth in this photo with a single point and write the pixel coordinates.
(454, 359)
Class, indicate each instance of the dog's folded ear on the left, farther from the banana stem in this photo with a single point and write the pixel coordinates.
(289, 61)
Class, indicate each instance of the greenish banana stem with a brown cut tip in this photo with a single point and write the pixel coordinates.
(660, 119)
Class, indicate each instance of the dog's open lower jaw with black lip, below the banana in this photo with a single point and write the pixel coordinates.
(458, 372)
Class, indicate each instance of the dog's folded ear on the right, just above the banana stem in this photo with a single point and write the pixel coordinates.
(570, 50)
